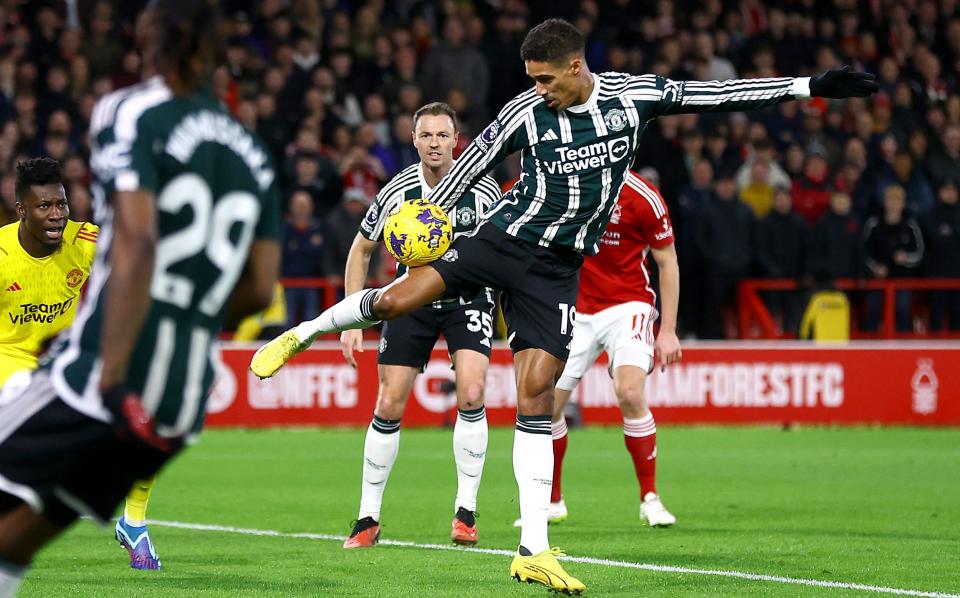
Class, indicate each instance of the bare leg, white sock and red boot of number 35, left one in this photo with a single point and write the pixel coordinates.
(380, 450)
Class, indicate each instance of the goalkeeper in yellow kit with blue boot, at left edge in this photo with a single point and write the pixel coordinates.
(45, 260)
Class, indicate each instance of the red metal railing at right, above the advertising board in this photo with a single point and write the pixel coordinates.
(756, 322)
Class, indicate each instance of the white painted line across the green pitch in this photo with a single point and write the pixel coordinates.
(574, 559)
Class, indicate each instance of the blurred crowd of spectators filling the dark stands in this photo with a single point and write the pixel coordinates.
(814, 190)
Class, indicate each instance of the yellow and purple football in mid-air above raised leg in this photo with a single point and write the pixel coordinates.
(417, 232)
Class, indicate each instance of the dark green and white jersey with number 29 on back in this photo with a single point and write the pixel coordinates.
(215, 190)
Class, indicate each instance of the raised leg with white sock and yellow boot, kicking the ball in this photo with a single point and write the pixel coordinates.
(362, 309)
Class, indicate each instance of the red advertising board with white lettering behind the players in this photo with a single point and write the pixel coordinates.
(902, 382)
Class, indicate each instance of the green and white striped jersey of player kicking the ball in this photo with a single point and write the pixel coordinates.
(574, 162)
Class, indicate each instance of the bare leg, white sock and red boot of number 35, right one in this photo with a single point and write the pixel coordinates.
(469, 441)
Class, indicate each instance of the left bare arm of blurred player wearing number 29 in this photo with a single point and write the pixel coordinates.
(128, 288)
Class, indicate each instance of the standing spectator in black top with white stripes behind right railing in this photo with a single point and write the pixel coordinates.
(893, 248)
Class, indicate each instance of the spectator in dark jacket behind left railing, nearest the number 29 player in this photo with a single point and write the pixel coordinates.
(303, 254)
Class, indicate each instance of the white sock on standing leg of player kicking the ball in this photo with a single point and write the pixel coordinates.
(533, 467)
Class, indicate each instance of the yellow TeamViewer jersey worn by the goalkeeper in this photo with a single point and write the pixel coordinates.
(38, 296)
